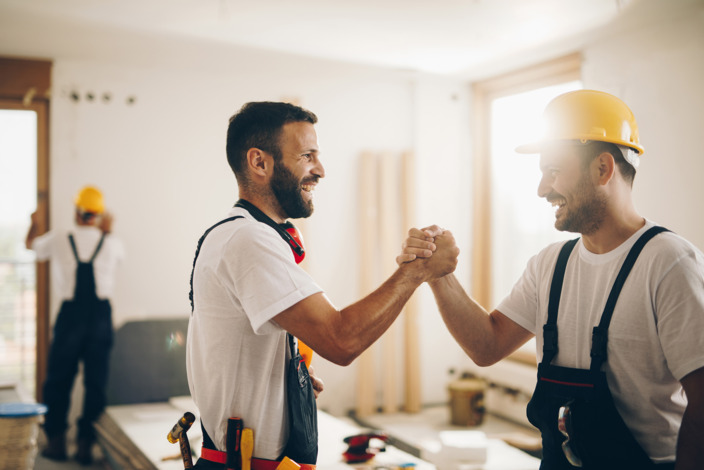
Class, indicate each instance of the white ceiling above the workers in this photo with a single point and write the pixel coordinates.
(435, 36)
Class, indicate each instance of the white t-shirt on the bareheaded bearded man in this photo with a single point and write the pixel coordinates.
(236, 356)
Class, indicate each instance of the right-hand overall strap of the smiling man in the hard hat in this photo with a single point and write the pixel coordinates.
(600, 333)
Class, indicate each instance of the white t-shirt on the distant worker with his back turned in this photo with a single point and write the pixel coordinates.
(54, 246)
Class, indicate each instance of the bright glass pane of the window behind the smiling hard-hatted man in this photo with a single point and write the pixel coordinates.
(522, 222)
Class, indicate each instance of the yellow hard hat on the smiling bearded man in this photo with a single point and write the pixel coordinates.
(587, 115)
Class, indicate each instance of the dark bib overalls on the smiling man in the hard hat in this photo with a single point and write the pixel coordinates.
(598, 434)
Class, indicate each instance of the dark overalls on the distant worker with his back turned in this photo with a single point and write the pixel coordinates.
(83, 332)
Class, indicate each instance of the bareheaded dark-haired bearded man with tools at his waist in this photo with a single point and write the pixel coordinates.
(250, 299)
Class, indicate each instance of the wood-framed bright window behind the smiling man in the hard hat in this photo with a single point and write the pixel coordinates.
(511, 223)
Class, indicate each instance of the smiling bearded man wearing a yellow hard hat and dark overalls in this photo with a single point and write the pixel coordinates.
(618, 313)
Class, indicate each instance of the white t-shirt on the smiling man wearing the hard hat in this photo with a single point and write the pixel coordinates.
(656, 335)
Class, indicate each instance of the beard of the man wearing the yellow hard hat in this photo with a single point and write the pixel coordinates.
(585, 212)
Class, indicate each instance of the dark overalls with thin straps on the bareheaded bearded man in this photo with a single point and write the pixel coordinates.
(302, 445)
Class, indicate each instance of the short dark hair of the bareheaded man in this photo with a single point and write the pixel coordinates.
(258, 125)
